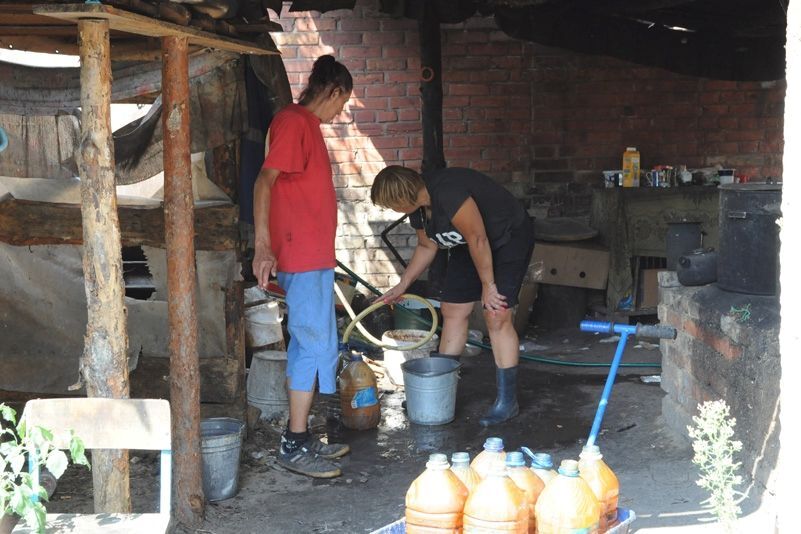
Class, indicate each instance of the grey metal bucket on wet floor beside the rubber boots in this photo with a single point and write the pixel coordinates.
(431, 390)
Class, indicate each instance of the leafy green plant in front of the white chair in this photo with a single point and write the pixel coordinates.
(20, 494)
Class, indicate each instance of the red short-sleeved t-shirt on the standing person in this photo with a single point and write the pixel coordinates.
(303, 205)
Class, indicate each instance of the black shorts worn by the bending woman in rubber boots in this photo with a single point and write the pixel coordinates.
(509, 265)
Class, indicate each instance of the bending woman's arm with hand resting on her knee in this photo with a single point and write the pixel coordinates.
(470, 224)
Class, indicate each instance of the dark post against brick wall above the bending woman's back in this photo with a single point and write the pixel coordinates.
(431, 88)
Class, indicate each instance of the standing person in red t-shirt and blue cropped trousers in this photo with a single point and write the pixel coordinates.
(295, 216)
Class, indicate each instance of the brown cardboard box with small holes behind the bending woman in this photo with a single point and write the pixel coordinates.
(569, 265)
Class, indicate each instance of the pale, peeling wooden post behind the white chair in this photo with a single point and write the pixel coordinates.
(104, 365)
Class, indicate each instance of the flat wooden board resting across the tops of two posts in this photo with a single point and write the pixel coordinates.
(141, 25)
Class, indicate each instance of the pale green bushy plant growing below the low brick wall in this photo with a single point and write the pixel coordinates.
(714, 455)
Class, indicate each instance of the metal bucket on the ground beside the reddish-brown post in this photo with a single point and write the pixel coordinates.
(221, 446)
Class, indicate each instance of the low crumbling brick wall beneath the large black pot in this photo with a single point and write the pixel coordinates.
(719, 354)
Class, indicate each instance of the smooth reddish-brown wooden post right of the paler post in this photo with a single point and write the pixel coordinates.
(181, 274)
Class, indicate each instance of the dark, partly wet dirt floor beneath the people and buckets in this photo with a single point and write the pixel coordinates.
(557, 408)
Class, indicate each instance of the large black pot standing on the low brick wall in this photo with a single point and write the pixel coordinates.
(748, 255)
